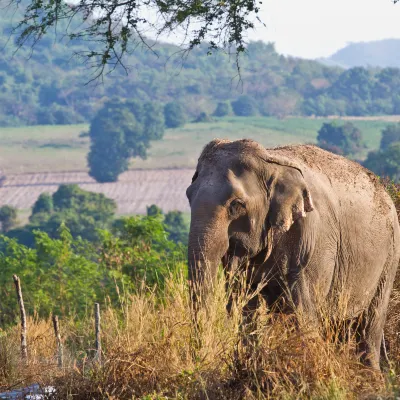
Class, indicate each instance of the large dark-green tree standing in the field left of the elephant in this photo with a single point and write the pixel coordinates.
(119, 131)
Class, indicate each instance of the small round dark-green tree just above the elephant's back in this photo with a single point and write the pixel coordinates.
(345, 139)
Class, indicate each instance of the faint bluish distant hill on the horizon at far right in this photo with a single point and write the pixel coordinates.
(380, 53)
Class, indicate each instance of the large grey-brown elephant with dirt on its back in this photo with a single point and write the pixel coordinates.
(318, 224)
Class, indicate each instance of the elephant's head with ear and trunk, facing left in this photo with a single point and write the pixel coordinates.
(243, 198)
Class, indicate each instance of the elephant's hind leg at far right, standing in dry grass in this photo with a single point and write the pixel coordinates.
(373, 320)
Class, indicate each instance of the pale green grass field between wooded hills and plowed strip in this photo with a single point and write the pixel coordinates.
(59, 148)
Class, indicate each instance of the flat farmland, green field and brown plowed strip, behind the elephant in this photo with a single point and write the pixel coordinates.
(38, 159)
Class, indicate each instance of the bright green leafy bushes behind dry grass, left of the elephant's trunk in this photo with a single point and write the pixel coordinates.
(66, 275)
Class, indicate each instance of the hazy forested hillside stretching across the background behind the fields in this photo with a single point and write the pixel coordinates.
(49, 86)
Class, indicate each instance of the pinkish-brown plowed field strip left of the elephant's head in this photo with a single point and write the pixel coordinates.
(133, 192)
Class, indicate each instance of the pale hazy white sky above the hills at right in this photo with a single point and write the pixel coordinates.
(317, 28)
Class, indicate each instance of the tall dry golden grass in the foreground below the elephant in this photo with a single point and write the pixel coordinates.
(154, 350)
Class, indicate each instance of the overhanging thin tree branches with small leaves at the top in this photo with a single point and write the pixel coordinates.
(117, 27)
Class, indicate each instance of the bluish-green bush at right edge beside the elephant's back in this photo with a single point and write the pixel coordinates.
(385, 163)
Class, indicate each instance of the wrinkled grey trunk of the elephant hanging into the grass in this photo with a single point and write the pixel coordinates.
(208, 243)
